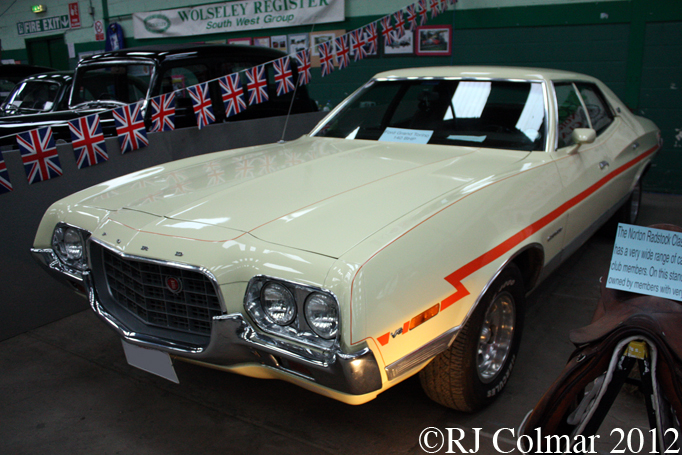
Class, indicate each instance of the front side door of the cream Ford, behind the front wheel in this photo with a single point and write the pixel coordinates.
(584, 169)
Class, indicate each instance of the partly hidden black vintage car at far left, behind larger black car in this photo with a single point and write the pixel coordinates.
(37, 94)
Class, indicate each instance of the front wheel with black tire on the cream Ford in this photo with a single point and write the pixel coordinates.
(461, 378)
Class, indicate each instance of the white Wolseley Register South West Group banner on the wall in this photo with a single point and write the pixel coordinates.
(236, 16)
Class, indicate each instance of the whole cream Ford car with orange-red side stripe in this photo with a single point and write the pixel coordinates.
(400, 236)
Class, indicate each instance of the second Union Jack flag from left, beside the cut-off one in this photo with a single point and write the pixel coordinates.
(39, 155)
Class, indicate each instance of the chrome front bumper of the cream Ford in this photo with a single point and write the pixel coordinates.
(235, 343)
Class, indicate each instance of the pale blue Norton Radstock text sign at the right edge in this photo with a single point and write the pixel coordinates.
(647, 261)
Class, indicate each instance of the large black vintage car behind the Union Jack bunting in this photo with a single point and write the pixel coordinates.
(103, 82)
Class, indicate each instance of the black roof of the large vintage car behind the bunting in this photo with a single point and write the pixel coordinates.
(165, 51)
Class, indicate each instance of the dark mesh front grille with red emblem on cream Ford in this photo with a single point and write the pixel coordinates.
(160, 295)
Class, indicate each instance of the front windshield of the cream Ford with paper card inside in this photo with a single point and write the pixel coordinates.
(491, 114)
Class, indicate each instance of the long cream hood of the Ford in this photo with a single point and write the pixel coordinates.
(314, 194)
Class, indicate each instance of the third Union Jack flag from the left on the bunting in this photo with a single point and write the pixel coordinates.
(88, 141)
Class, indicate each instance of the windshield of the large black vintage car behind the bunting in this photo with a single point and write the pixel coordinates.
(117, 83)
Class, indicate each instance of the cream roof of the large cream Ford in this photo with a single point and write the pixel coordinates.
(486, 72)
